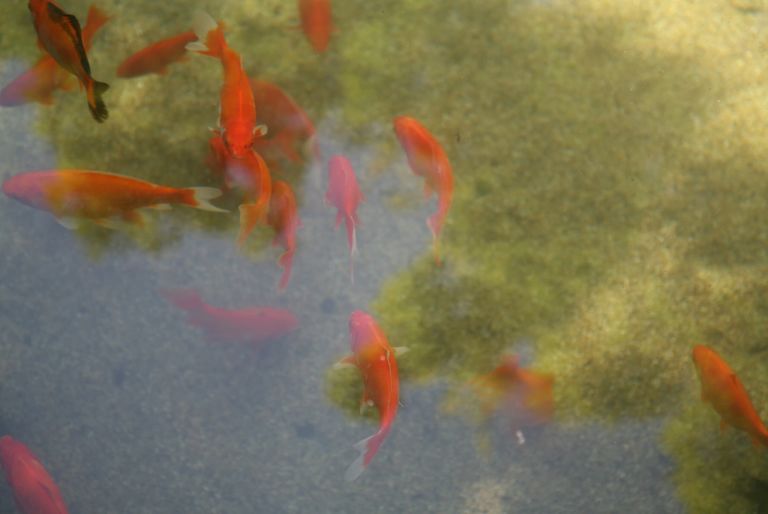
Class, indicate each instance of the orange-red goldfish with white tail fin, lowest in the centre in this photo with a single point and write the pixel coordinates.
(375, 360)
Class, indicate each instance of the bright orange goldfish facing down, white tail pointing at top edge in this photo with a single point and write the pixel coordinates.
(237, 110)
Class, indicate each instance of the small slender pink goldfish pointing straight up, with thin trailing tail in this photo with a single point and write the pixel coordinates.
(344, 193)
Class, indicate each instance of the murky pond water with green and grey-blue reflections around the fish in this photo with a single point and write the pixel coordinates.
(609, 213)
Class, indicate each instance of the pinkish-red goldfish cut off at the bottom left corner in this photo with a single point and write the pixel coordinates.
(34, 491)
